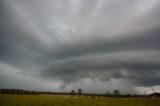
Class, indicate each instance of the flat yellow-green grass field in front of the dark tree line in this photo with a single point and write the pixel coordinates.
(50, 100)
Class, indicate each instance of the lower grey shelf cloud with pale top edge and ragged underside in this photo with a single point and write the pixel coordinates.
(140, 67)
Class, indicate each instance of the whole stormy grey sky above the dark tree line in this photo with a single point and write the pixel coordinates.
(95, 45)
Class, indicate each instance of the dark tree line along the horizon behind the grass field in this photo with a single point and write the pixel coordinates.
(115, 93)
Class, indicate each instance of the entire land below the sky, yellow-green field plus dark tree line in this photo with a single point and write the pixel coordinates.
(17, 97)
